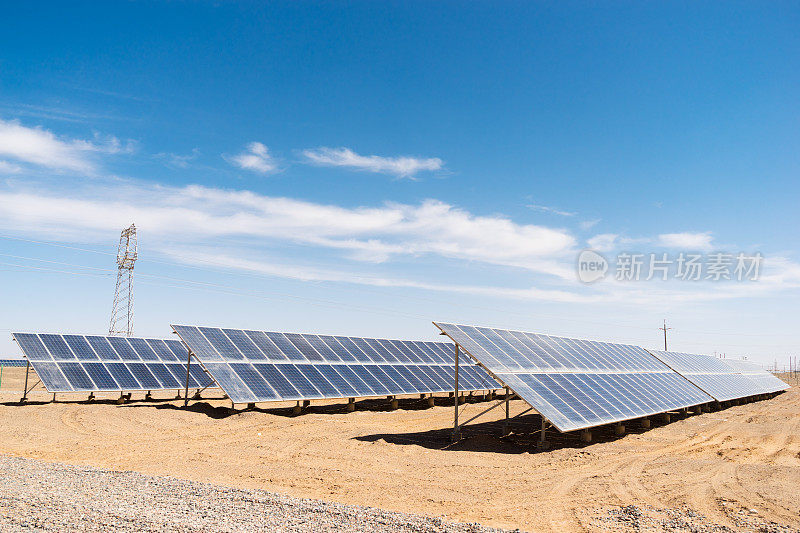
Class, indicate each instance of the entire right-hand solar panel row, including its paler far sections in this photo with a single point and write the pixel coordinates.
(588, 395)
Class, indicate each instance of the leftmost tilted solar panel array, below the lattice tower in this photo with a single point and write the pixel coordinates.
(75, 363)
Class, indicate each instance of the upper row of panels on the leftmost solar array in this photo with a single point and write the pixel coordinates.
(51, 347)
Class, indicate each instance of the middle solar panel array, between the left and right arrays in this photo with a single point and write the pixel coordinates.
(259, 366)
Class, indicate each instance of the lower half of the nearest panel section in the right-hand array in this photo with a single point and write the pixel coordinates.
(577, 401)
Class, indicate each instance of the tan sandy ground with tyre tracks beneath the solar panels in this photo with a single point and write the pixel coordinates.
(745, 457)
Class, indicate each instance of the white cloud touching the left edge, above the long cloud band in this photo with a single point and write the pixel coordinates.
(40, 147)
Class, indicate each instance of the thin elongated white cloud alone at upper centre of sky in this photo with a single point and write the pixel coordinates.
(402, 167)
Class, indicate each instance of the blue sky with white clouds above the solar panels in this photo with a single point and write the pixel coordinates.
(364, 168)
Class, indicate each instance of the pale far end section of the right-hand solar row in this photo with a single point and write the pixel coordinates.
(722, 379)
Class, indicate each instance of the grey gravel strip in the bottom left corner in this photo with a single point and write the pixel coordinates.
(40, 496)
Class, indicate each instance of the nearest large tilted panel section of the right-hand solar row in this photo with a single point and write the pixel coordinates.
(574, 383)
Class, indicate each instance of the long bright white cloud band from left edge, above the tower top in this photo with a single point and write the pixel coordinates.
(373, 234)
